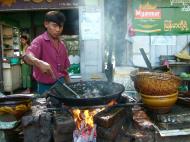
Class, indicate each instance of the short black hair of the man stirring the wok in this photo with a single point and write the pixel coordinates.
(55, 16)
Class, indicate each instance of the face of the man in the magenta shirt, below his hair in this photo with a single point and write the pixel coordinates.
(53, 29)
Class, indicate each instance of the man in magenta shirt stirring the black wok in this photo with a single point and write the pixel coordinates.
(48, 54)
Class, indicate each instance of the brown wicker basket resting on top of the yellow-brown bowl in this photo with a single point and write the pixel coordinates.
(152, 83)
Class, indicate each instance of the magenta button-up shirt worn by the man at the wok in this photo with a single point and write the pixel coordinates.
(43, 49)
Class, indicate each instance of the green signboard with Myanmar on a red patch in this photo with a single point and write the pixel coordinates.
(161, 17)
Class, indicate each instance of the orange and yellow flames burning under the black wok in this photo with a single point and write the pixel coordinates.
(85, 128)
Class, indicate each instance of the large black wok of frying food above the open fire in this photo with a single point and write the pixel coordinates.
(91, 93)
